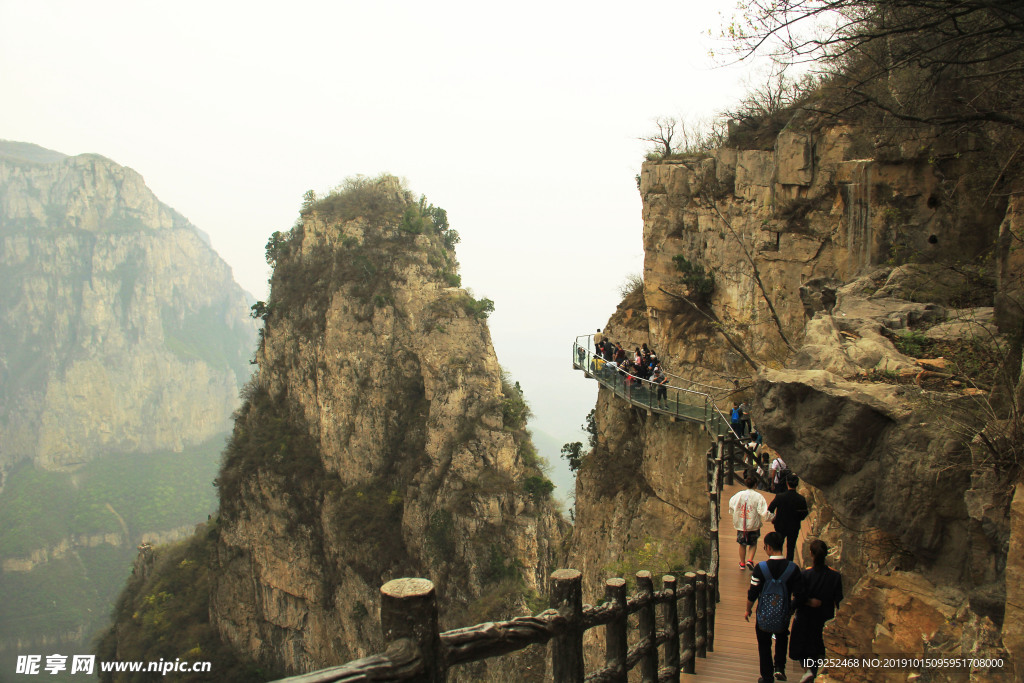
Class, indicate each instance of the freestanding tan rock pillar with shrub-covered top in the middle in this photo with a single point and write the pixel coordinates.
(377, 440)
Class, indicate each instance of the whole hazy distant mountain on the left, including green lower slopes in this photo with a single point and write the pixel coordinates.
(125, 344)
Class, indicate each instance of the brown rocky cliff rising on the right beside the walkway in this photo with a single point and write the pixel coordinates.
(809, 279)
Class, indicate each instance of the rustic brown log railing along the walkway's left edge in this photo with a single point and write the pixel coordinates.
(418, 652)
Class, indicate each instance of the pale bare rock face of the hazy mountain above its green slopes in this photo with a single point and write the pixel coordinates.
(123, 331)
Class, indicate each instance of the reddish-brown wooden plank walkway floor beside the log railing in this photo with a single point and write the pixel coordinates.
(736, 656)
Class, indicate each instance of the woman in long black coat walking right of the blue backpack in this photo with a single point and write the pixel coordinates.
(824, 592)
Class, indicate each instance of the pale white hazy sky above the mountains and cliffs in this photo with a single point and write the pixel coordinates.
(522, 120)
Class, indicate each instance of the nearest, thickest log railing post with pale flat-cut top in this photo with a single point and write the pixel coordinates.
(409, 610)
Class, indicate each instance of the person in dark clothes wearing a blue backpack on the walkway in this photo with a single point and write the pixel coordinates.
(777, 586)
